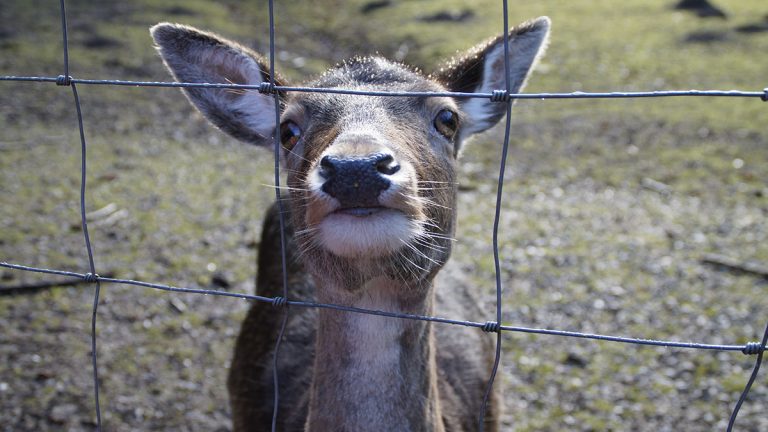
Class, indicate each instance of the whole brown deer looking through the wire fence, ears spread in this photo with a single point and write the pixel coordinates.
(369, 219)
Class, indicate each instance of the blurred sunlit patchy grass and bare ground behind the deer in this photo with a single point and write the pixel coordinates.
(615, 214)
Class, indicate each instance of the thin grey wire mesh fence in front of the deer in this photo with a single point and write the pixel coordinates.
(497, 96)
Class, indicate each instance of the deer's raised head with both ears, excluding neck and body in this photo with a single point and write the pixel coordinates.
(371, 179)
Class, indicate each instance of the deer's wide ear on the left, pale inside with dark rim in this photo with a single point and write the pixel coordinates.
(199, 57)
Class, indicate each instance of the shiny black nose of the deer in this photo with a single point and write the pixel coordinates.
(357, 181)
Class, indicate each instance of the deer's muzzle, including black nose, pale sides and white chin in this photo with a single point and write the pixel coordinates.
(357, 210)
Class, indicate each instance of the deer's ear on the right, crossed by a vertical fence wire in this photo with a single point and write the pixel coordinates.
(481, 70)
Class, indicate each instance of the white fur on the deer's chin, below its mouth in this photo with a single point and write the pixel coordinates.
(369, 236)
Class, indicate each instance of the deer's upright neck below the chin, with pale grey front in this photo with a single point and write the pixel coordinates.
(372, 372)
